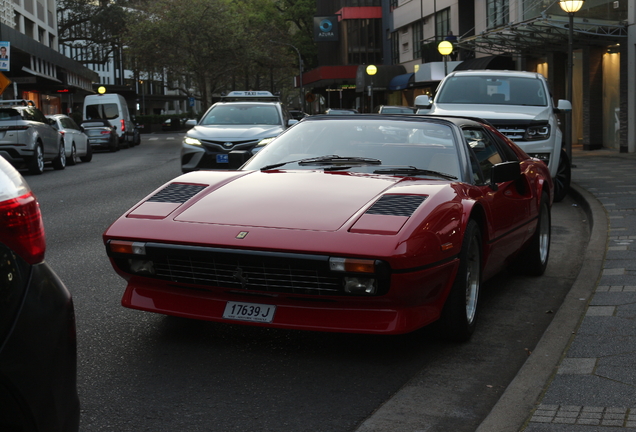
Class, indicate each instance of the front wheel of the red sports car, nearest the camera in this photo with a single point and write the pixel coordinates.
(459, 314)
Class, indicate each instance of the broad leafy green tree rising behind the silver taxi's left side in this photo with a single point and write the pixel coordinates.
(187, 38)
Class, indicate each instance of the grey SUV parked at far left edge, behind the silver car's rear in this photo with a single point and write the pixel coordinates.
(28, 139)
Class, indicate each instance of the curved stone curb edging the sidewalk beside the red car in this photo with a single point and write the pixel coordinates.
(521, 397)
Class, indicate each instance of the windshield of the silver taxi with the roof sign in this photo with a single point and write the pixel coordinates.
(242, 114)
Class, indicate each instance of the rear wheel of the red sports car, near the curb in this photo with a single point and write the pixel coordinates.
(534, 259)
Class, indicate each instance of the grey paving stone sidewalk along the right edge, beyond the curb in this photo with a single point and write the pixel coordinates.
(594, 388)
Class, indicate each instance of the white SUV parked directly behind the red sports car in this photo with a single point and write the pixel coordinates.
(517, 103)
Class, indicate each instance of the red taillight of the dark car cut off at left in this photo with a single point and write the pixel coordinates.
(21, 228)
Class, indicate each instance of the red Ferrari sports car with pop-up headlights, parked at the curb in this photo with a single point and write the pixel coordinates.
(355, 223)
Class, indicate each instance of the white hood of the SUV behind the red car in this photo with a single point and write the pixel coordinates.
(493, 112)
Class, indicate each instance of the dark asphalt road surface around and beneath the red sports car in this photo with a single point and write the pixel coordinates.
(139, 371)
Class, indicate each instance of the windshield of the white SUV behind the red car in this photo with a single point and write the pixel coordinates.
(497, 90)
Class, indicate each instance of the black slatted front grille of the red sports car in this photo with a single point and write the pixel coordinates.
(271, 272)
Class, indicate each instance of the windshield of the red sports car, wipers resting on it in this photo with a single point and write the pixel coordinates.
(364, 146)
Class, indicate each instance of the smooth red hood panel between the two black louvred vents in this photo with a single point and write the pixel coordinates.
(306, 200)
